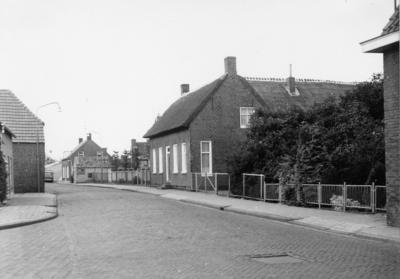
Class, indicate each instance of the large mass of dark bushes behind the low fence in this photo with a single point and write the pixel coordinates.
(338, 140)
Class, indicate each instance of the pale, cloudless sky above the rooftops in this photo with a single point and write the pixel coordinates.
(114, 65)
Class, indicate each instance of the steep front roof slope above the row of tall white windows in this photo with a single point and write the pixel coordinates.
(183, 110)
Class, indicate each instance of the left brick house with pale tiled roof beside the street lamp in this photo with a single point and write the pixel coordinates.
(28, 129)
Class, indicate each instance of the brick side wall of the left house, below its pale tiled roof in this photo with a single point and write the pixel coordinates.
(25, 168)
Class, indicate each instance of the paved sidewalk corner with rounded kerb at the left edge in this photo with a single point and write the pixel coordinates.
(27, 209)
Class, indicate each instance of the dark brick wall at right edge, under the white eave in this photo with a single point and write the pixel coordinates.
(392, 129)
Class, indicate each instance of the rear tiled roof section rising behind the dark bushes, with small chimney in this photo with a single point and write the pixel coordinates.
(310, 90)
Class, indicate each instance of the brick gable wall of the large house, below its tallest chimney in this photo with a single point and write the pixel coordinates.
(219, 122)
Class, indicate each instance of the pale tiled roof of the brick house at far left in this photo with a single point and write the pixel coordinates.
(16, 116)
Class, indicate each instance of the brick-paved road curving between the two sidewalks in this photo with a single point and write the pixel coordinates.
(105, 233)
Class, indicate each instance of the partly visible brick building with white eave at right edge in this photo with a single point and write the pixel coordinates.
(388, 44)
